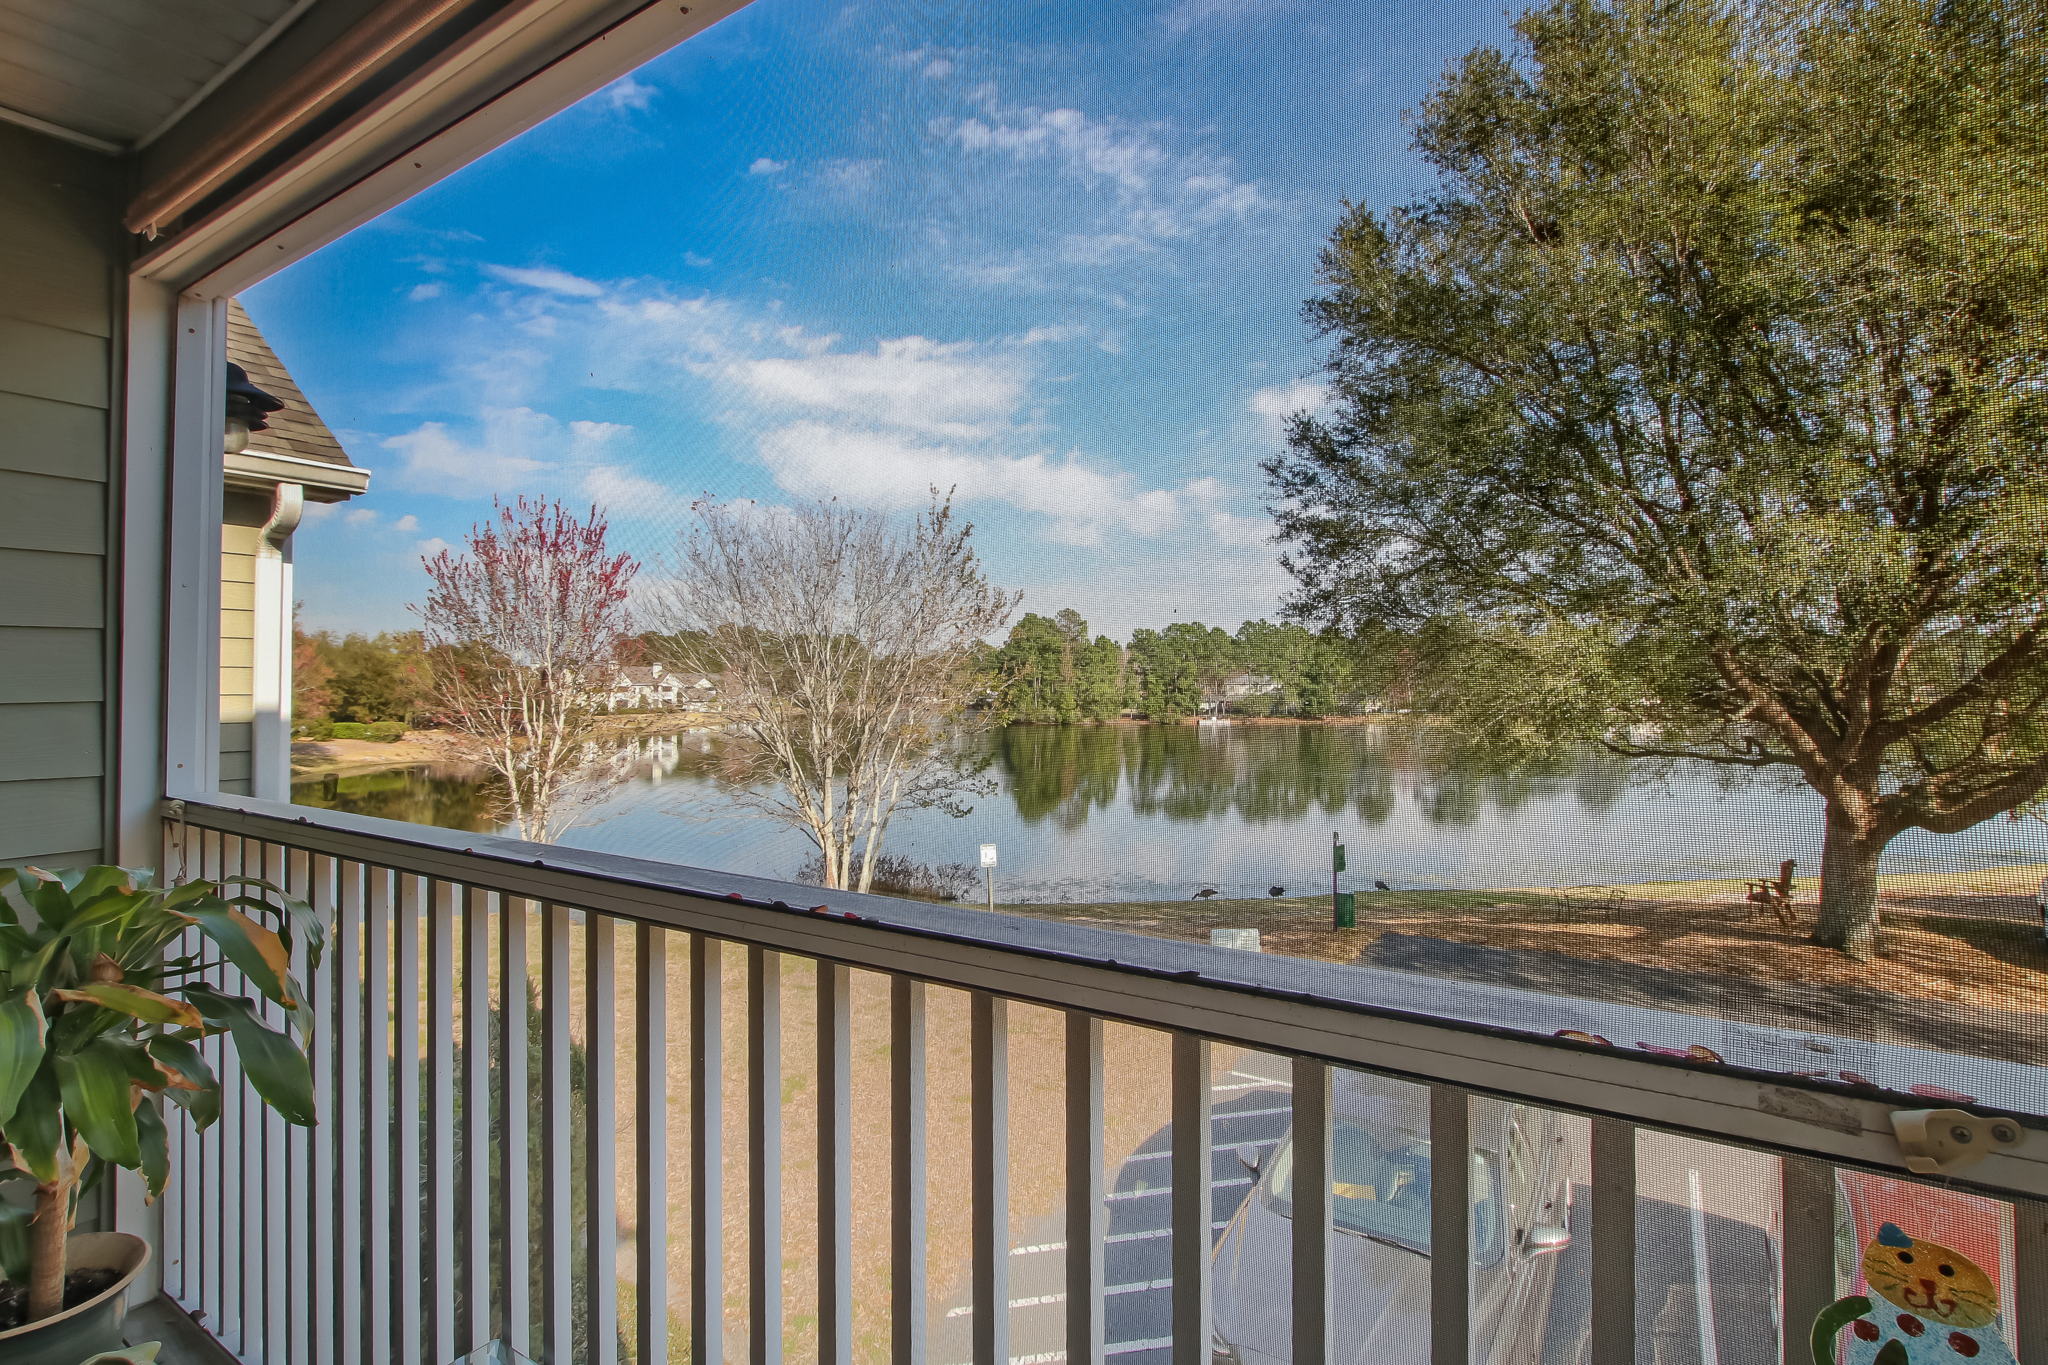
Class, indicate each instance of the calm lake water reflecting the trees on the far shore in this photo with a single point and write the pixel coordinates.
(1154, 813)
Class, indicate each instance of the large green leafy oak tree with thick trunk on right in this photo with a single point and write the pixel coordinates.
(1705, 402)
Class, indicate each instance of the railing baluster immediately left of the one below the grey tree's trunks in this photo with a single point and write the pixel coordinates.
(765, 1157)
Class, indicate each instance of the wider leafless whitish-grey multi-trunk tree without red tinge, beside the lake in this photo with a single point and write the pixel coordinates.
(847, 644)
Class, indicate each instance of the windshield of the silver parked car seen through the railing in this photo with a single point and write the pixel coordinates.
(1383, 1188)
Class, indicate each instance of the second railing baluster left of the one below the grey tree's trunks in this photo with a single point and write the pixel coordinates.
(708, 1141)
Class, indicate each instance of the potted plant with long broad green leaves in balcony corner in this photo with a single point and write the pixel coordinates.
(103, 1006)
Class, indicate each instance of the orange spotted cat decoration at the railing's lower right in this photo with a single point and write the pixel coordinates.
(1928, 1305)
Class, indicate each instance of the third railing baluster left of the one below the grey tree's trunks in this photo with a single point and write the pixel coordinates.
(650, 1139)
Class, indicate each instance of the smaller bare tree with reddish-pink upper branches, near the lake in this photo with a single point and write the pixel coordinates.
(523, 631)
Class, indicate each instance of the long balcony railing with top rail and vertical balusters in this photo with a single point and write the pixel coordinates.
(501, 1098)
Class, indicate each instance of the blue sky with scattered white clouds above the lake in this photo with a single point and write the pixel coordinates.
(1052, 255)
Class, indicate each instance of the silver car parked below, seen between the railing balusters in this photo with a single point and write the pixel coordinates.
(1381, 1170)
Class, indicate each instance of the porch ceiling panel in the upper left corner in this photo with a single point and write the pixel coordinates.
(124, 71)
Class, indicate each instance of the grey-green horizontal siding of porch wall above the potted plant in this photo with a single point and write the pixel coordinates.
(62, 261)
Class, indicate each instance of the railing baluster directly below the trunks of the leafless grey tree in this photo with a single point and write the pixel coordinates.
(835, 1168)
